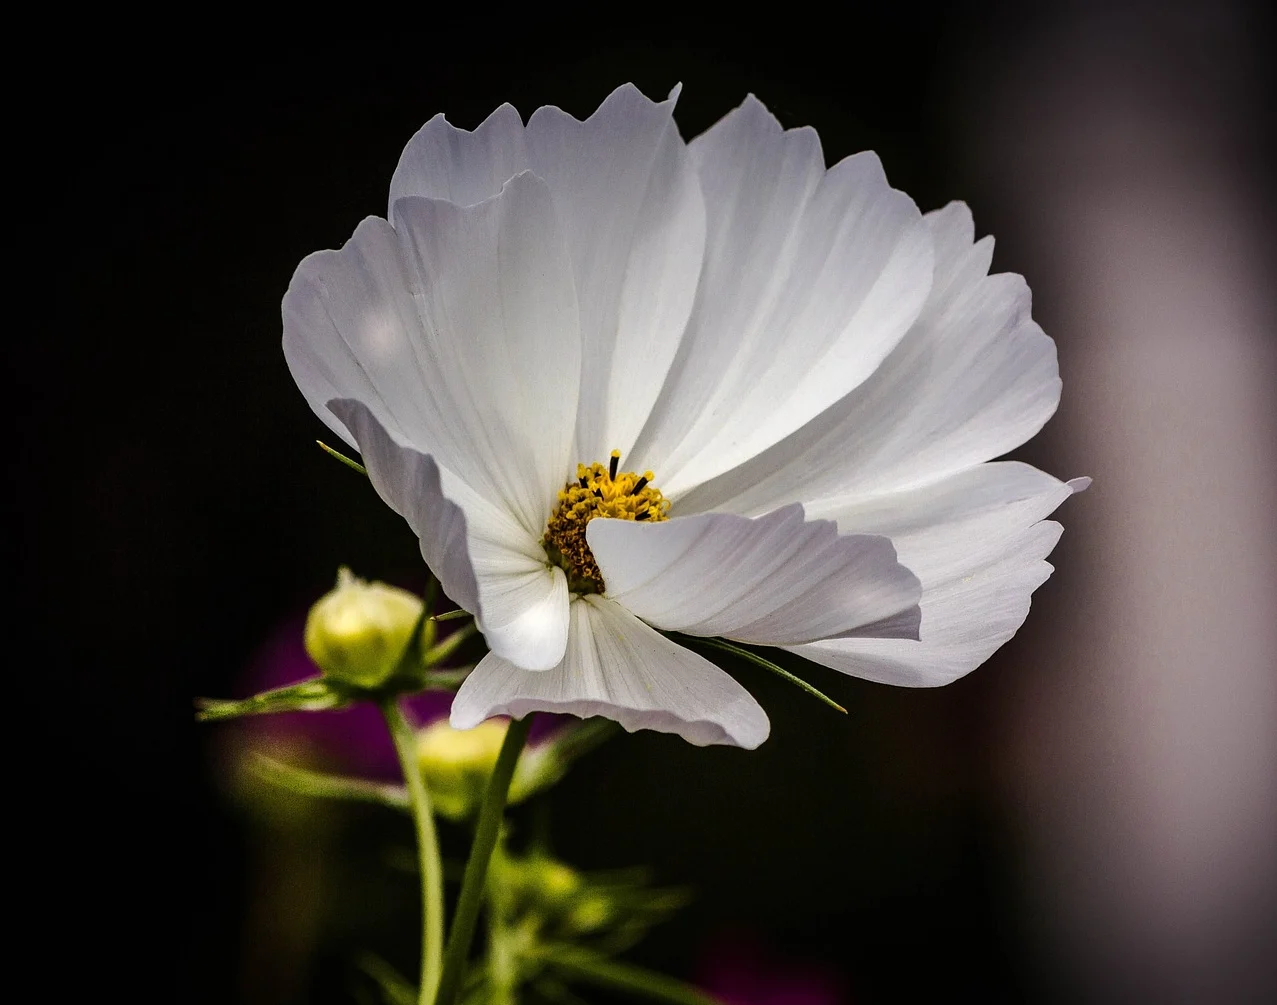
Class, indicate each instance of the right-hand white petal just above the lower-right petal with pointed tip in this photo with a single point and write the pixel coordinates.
(974, 379)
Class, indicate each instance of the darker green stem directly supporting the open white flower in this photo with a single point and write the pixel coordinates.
(481, 855)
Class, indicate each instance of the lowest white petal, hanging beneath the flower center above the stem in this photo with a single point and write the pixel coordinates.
(620, 669)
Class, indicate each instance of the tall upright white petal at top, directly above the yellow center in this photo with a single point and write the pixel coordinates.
(633, 216)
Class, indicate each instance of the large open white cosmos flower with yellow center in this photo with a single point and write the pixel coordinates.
(813, 374)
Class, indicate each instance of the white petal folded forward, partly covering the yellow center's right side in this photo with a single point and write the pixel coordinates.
(776, 580)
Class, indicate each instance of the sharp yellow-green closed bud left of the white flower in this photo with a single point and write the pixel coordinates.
(358, 631)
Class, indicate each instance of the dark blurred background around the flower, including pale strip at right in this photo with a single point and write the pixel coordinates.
(1092, 817)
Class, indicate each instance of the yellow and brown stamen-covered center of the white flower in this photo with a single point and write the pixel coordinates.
(598, 491)
